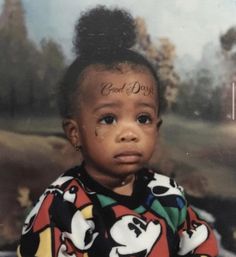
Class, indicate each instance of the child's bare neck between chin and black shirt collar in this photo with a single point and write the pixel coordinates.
(119, 185)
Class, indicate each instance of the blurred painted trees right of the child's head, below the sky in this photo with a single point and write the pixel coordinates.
(199, 94)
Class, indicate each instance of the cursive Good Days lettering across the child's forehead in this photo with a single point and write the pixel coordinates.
(135, 87)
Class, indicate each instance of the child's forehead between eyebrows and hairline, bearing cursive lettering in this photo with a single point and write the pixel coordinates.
(102, 84)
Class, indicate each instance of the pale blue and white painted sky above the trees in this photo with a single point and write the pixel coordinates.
(189, 24)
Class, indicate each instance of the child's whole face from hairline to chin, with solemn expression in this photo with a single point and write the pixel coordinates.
(116, 120)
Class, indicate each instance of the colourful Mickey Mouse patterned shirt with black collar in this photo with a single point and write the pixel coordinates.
(78, 217)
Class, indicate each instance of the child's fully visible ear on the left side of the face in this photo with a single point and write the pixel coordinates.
(71, 130)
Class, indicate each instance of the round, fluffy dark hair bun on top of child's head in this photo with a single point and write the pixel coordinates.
(102, 31)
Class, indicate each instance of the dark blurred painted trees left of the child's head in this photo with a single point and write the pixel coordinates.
(28, 73)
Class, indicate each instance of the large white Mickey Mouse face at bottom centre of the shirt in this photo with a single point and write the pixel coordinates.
(134, 235)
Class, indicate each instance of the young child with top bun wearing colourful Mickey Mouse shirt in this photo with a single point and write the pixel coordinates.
(112, 205)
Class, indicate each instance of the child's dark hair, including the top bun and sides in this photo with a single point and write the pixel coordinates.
(103, 37)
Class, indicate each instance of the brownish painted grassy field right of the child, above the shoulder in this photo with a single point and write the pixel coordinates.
(202, 151)
